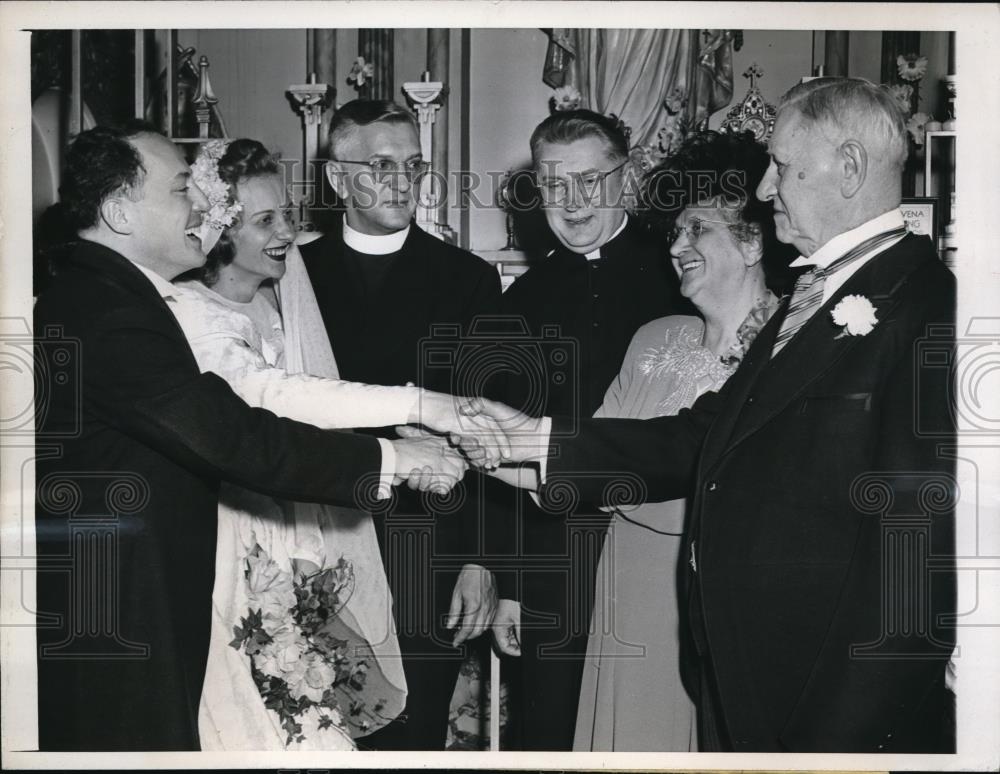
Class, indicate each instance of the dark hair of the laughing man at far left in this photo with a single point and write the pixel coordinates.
(101, 162)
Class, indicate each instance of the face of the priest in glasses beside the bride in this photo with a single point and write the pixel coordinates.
(376, 206)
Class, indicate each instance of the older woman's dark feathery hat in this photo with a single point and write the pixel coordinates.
(711, 164)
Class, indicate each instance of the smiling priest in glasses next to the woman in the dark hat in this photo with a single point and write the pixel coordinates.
(583, 301)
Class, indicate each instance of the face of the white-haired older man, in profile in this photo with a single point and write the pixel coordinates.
(802, 181)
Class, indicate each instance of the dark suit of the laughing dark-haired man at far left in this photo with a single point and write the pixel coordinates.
(133, 442)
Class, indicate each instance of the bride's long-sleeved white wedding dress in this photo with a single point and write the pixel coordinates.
(247, 345)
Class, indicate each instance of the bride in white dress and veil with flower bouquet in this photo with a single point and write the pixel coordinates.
(271, 682)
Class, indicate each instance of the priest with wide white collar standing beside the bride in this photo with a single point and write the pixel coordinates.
(385, 287)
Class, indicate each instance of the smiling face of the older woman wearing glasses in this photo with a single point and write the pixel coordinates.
(713, 265)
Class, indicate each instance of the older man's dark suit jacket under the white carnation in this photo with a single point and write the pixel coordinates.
(812, 474)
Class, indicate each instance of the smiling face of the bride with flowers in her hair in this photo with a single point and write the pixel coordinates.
(265, 231)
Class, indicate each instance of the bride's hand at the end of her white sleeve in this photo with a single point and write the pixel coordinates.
(487, 443)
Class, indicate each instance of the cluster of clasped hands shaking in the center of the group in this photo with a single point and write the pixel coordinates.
(464, 431)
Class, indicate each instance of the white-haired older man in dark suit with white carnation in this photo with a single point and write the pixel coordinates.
(820, 549)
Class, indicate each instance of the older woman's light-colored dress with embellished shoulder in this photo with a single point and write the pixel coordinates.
(631, 696)
